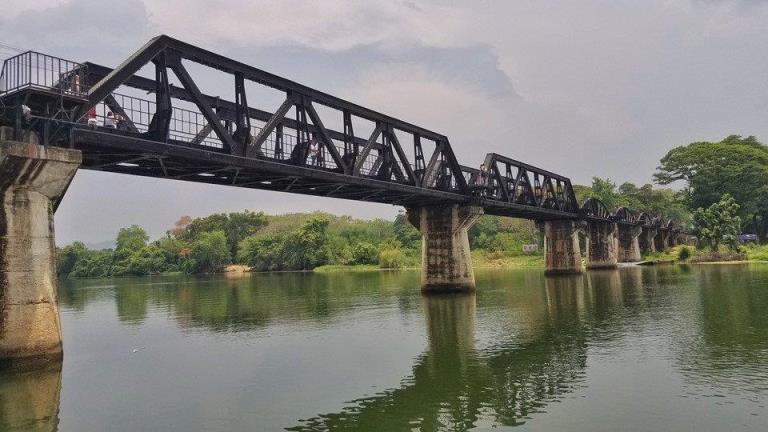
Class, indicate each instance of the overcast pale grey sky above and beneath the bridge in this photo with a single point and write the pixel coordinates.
(589, 88)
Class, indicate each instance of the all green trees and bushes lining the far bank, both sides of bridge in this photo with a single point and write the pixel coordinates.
(726, 190)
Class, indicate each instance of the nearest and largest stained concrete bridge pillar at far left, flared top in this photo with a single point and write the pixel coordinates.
(34, 178)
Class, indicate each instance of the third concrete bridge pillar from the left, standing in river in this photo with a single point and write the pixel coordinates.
(562, 254)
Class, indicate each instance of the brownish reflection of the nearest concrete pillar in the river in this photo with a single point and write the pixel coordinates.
(30, 401)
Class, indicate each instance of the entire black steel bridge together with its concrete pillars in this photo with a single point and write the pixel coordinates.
(58, 116)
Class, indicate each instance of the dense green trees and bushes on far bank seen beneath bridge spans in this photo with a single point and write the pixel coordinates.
(301, 241)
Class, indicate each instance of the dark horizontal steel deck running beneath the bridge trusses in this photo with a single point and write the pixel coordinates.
(118, 152)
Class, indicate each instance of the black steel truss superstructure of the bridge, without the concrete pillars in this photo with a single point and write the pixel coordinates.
(312, 143)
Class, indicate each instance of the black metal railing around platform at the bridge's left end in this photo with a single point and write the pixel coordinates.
(35, 70)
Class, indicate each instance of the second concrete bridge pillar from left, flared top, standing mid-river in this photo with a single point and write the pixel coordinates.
(446, 263)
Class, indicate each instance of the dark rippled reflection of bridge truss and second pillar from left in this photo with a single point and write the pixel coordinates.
(455, 386)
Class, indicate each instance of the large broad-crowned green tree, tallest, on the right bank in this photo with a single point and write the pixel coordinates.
(736, 166)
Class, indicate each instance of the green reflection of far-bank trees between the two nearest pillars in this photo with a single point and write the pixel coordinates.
(241, 304)
